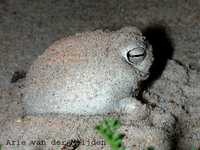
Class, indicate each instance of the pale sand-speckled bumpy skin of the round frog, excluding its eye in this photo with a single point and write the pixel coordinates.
(86, 74)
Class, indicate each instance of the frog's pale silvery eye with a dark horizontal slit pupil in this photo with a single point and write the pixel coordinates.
(136, 55)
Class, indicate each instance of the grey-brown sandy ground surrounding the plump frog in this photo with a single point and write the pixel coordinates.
(27, 28)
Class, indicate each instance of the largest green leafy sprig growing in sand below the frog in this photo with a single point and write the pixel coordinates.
(114, 141)
